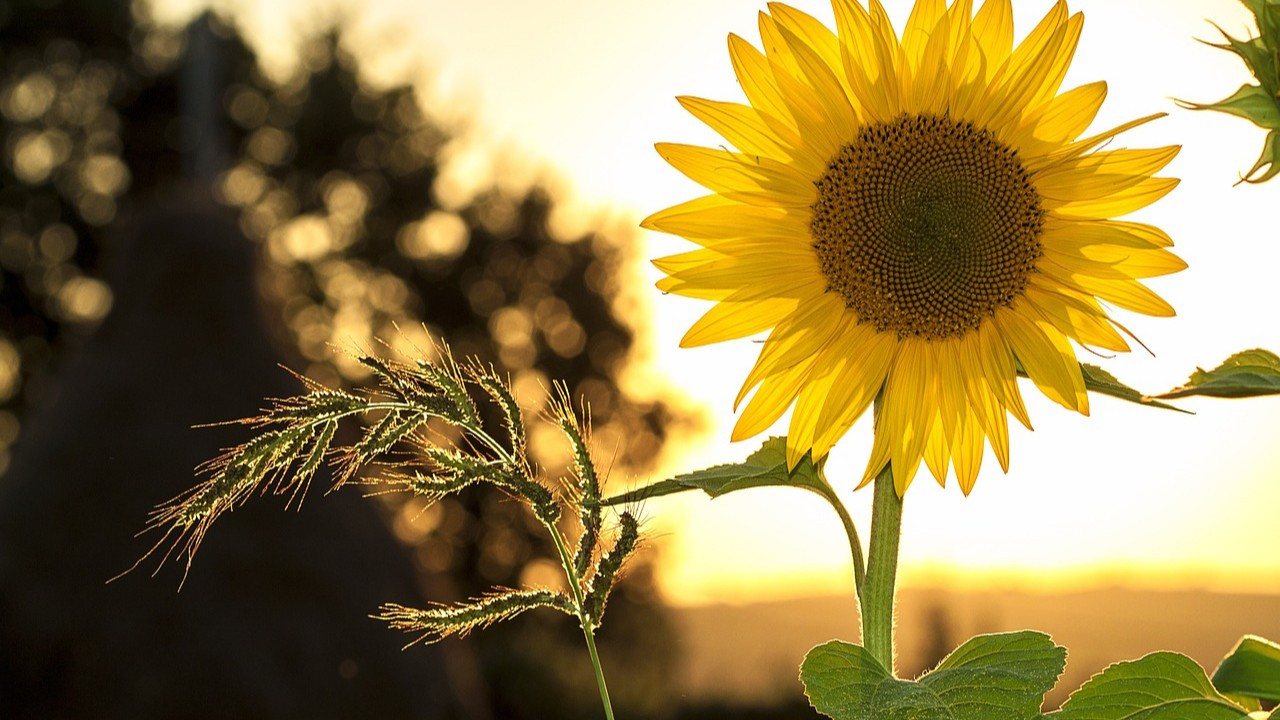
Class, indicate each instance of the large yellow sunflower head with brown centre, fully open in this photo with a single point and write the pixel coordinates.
(915, 220)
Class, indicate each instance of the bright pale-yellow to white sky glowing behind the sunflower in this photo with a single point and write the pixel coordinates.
(1130, 495)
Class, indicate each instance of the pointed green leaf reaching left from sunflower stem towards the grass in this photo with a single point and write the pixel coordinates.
(764, 468)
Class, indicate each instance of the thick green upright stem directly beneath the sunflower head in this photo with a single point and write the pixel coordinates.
(879, 589)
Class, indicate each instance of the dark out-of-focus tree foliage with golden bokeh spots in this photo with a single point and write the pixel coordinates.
(335, 177)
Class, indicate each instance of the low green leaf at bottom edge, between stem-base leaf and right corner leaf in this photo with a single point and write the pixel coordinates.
(1164, 686)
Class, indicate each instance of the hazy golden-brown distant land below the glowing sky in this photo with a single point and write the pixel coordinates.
(748, 655)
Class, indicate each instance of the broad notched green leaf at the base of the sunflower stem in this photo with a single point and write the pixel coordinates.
(1000, 677)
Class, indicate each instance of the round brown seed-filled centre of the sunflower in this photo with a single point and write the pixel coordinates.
(927, 226)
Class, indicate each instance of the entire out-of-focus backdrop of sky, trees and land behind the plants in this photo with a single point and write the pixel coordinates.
(194, 193)
